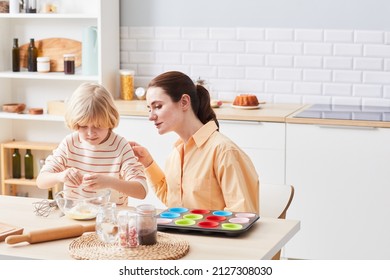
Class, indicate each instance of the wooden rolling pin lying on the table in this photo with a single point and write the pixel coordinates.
(50, 234)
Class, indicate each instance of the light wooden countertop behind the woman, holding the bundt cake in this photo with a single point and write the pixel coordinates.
(266, 113)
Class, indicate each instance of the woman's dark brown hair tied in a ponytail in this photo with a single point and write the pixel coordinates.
(175, 84)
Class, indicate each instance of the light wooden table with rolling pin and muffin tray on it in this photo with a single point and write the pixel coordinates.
(262, 241)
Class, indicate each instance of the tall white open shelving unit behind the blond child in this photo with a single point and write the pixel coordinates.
(36, 89)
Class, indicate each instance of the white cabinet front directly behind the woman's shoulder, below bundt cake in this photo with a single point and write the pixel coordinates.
(264, 142)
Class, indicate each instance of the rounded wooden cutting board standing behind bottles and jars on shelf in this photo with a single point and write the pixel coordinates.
(54, 48)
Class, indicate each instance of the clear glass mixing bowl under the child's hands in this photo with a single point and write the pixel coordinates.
(81, 208)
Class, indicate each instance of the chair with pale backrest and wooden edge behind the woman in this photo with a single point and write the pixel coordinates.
(274, 202)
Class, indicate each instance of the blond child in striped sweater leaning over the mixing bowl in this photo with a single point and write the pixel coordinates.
(93, 156)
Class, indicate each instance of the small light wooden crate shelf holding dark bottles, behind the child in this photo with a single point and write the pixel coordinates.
(6, 156)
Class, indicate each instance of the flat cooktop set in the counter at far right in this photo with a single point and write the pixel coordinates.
(346, 112)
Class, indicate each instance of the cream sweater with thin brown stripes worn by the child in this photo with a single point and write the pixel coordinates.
(114, 157)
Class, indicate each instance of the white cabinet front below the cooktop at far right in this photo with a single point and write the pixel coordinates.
(342, 191)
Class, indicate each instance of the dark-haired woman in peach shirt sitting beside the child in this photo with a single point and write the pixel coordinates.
(205, 169)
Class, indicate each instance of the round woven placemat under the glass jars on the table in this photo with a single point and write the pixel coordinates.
(90, 247)
